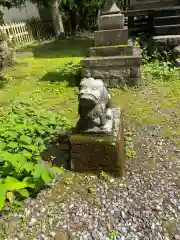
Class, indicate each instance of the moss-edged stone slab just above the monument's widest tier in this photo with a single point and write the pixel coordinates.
(117, 50)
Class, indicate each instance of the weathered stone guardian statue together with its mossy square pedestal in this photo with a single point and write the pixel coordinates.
(98, 142)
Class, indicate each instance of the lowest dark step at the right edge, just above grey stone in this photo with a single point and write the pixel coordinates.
(167, 30)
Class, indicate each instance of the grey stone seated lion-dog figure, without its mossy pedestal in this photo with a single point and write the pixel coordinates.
(94, 105)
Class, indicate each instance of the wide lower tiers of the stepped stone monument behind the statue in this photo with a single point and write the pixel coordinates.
(114, 70)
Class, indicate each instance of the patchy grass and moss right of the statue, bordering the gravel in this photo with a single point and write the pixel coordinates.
(157, 102)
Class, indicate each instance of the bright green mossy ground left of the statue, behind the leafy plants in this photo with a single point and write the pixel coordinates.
(40, 78)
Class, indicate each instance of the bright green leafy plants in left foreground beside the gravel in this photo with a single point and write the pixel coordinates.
(24, 132)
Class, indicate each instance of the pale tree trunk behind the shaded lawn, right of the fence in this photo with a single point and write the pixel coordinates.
(57, 19)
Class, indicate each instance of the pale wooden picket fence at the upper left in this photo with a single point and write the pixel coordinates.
(19, 33)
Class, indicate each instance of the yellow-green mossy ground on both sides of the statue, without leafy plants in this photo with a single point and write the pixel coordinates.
(43, 79)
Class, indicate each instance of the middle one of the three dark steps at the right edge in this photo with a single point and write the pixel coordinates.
(167, 20)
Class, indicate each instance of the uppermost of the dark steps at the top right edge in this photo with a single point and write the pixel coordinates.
(167, 11)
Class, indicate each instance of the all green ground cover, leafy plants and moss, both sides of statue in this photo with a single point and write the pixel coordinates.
(39, 98)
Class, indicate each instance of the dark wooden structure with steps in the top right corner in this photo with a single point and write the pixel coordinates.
(158, 17)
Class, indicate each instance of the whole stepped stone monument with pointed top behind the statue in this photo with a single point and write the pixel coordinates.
(114, 59)
